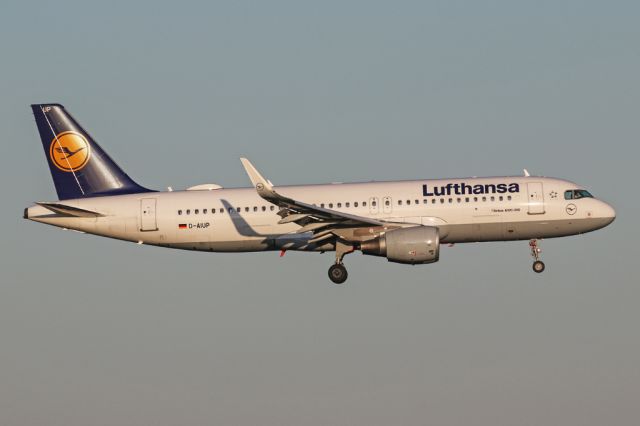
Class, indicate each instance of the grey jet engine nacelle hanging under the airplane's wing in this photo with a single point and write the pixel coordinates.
(414, 245)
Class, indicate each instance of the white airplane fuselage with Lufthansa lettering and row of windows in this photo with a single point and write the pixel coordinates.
(239, 220)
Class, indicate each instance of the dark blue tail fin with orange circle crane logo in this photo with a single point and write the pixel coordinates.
(79, 167)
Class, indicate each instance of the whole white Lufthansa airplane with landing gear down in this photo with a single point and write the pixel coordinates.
(404, 221)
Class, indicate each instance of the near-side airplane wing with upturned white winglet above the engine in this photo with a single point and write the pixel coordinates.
(320, 221)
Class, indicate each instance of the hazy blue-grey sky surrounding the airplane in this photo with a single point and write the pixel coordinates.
(101, 332)
